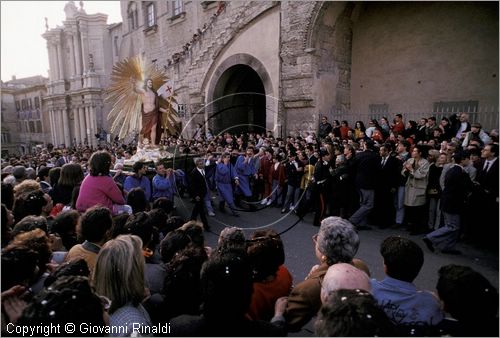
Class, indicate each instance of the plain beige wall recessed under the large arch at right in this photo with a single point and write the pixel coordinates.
(410, 55)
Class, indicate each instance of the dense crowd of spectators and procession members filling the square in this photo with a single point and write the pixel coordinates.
(79, 231)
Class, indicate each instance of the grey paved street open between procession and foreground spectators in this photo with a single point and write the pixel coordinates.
(300, 251)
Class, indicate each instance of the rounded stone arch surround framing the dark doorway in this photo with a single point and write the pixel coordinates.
(218, 80)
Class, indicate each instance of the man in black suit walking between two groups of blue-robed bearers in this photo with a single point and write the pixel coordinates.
(198, 189)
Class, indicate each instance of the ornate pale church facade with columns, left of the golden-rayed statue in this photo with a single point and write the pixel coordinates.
(80, 60)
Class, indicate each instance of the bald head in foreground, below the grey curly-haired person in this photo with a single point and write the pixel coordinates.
(344, 276)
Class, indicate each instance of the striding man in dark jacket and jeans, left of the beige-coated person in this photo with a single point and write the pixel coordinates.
(367, 169)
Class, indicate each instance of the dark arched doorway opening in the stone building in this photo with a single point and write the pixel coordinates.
(239, 101)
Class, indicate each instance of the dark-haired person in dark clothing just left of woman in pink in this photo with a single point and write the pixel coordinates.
(71, 176)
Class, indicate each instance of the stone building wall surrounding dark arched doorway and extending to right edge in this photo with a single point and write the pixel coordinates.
(328, 57)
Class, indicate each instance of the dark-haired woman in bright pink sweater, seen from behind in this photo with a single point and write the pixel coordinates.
(99, 187)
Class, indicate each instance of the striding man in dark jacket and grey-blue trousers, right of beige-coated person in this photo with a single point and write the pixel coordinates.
(457, 185)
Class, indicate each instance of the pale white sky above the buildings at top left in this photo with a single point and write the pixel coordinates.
(23, 50)
